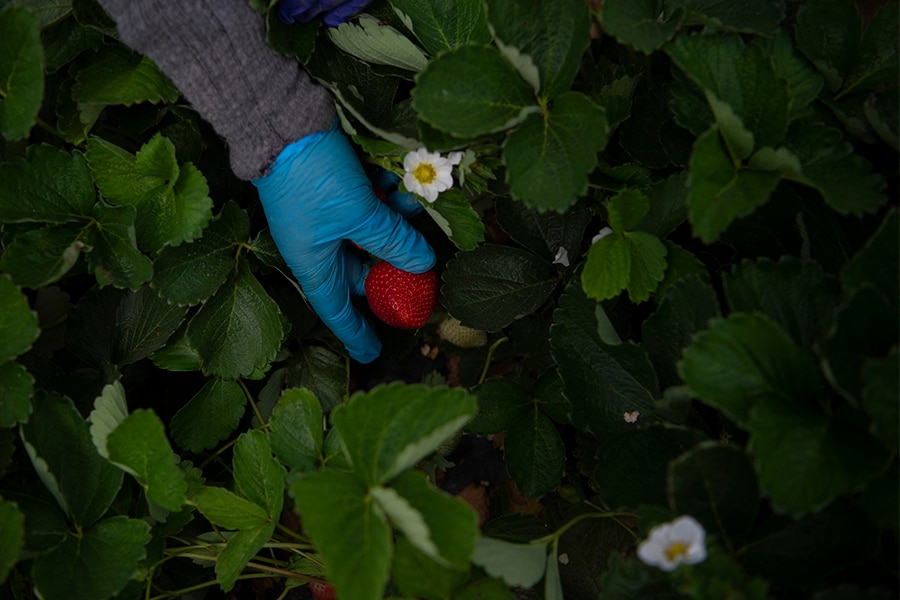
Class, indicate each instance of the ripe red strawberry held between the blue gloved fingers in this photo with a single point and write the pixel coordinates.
(400, 298)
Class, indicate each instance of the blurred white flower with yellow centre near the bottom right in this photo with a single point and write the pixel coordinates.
(682, 541)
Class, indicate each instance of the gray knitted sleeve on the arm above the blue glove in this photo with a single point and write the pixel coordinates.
(215, 52)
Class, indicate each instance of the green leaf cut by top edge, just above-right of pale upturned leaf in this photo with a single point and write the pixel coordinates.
(444, 25)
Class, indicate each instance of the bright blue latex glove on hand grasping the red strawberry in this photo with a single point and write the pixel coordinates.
(317, 197)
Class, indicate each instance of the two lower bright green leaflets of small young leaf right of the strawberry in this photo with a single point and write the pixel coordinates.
(635, 261)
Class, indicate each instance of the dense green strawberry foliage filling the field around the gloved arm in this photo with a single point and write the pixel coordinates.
(728, 350)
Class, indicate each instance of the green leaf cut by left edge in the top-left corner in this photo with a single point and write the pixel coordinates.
(21, 72)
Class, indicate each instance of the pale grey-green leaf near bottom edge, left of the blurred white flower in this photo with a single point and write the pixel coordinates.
(517, 564)
